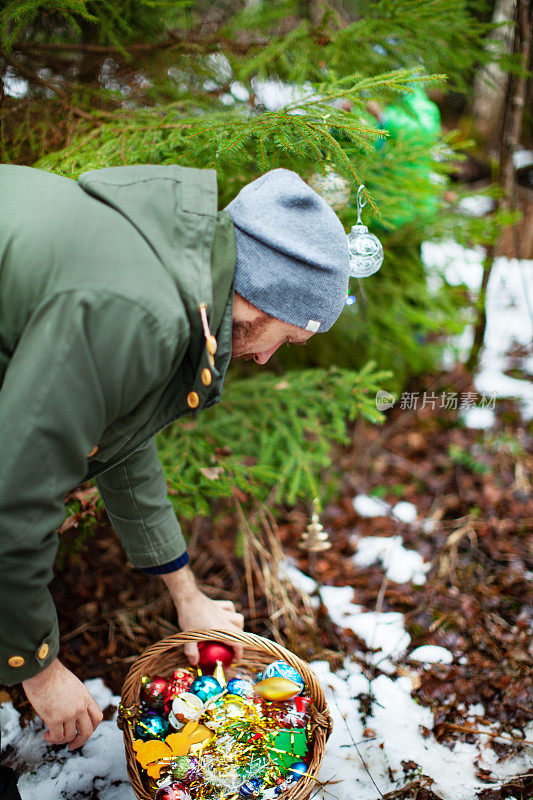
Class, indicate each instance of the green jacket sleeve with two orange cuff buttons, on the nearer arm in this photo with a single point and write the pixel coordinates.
(84, 359)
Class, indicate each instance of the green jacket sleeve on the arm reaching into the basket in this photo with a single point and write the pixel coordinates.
(135, 496)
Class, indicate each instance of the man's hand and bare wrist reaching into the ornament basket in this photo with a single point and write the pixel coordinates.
(196, 610)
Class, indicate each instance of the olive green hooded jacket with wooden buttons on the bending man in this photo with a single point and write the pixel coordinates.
(101, 346)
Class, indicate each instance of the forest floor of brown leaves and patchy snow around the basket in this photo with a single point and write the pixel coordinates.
(450, 509)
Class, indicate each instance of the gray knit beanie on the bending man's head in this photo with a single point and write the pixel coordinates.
(292, 251)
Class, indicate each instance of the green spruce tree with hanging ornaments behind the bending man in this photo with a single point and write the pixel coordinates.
(113, 82)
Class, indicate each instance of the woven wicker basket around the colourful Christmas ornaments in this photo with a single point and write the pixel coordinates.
(165, 656)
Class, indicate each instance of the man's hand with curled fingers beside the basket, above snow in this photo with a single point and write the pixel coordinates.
(64, 704)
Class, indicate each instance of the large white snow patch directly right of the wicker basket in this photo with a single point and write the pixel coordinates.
(395, 731)
